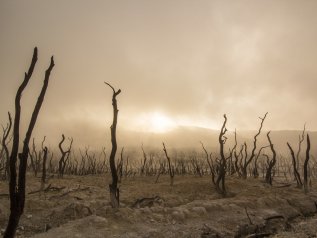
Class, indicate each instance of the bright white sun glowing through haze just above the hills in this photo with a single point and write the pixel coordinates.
(156, 122)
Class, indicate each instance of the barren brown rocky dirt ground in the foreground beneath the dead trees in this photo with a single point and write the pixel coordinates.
(79, 207)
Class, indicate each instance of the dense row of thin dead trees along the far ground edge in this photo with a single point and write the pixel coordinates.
(155, 163)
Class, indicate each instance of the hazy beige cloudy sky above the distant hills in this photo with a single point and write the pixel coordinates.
(176, 62)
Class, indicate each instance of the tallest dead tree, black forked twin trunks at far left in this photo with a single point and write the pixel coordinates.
(17, 188)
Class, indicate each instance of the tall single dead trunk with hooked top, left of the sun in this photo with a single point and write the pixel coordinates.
(113, 187)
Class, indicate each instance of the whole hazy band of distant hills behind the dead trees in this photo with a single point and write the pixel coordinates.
(183, 137)
